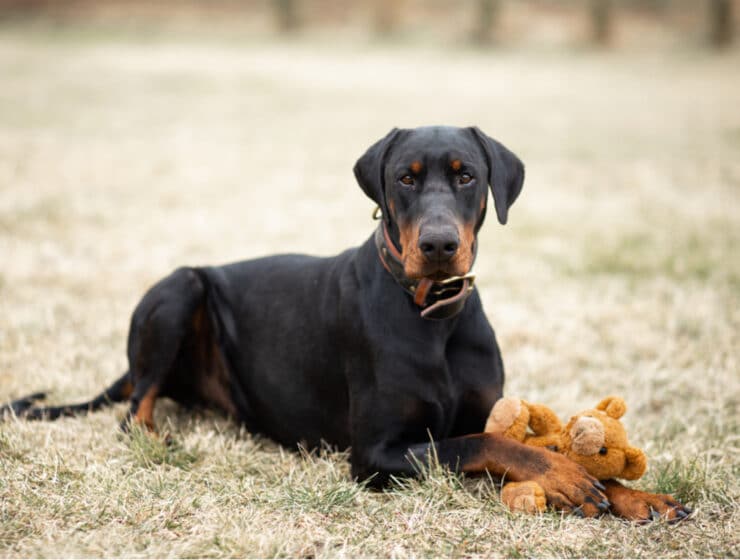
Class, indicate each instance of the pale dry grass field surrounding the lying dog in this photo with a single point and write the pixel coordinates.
(124, 156)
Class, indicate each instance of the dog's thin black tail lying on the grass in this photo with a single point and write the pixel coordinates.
(119, 391)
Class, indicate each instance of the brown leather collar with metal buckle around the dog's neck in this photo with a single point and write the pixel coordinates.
(438, 300)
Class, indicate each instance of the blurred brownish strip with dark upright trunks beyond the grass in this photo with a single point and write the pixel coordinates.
(613, 23)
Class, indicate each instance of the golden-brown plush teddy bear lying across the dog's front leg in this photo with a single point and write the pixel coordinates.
(595, 439)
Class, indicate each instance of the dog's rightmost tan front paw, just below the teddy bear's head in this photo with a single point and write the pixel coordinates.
(640, 506)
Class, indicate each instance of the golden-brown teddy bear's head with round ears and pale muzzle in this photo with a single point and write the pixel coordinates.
(597, 440)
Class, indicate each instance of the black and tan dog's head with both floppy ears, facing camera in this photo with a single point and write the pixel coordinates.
(431, 185)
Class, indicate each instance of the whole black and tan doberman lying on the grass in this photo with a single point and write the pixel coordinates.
(384, 348)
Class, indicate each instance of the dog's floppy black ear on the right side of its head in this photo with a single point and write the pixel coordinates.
(505, 173)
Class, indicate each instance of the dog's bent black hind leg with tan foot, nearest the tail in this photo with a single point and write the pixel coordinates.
(159, 326)
